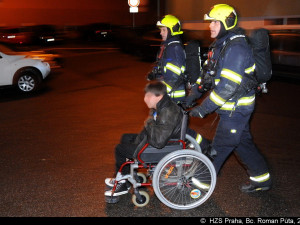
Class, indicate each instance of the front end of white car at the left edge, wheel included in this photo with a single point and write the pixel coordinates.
(22, 71)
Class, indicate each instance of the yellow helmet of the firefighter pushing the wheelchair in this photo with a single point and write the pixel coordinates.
(224, 13)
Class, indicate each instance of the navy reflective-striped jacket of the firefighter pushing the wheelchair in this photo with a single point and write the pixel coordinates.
(232, 71)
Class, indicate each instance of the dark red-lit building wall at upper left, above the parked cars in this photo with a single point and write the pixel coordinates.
(78, 12)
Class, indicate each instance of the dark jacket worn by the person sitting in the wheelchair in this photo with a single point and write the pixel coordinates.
(163, 124)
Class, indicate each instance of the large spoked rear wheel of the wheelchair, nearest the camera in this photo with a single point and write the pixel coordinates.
(184, 179)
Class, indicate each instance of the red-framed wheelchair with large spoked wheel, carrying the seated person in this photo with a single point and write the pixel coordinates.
(181, 176)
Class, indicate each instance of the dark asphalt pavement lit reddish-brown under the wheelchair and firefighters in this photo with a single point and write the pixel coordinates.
(56, 146)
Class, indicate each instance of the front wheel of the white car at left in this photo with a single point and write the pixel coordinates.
(28, 80)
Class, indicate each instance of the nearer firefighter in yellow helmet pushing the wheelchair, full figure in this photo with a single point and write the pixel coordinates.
(229, 67)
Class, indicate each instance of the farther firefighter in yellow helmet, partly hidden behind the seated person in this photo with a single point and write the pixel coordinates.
(170, 59)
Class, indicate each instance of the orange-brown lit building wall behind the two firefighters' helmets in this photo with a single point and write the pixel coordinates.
(254, 13)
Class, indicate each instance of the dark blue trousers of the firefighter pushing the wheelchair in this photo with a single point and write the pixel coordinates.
(233, 134)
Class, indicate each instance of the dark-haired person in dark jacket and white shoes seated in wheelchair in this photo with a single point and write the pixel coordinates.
(163, 124)
